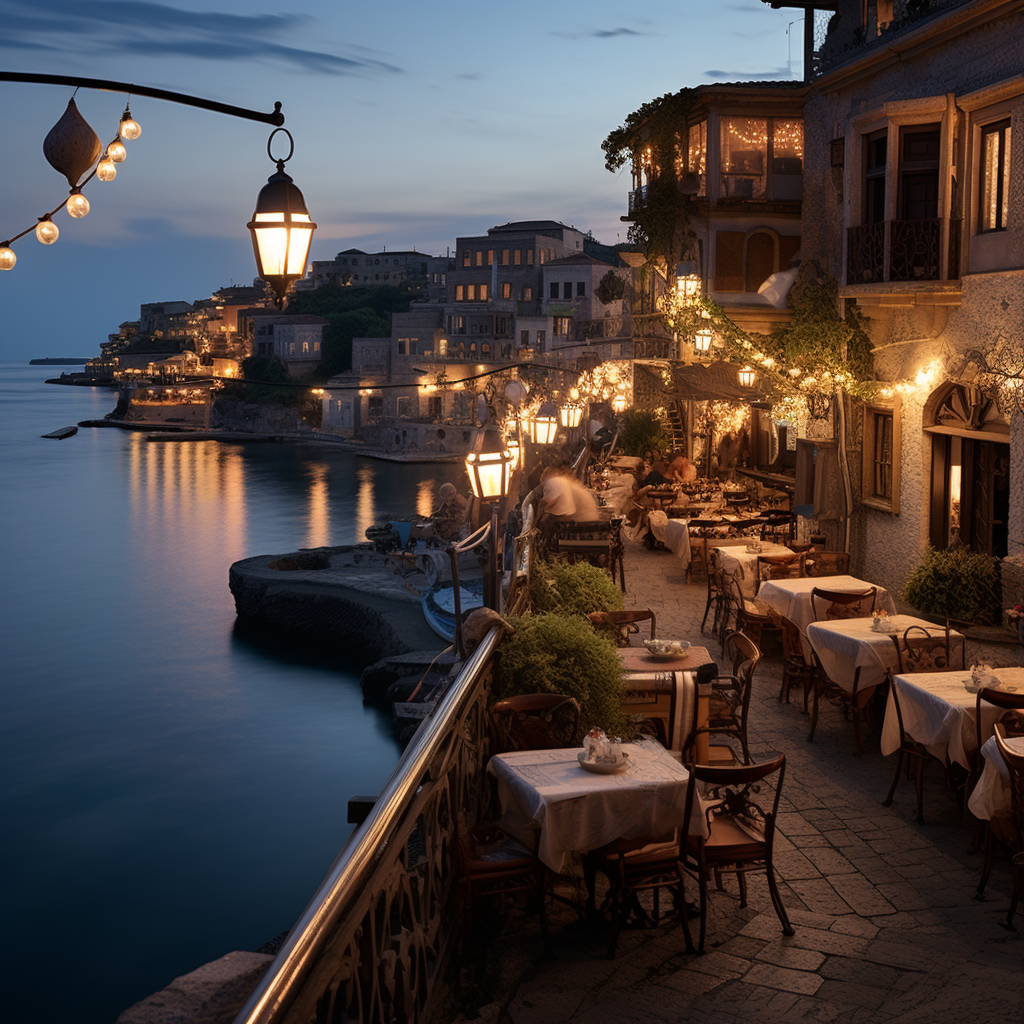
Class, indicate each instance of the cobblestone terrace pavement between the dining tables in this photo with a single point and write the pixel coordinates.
(887, 930)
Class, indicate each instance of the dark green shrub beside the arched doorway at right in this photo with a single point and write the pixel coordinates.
(956, 584)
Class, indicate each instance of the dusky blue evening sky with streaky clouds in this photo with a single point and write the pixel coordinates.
(414, 124)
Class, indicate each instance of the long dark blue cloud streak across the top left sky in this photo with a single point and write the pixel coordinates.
(117, 27)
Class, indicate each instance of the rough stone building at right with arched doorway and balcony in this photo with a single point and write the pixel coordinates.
(916, 197)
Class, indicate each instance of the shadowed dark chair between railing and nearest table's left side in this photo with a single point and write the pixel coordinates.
(496, 866)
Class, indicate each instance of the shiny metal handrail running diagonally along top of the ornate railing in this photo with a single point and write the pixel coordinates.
(345, 882)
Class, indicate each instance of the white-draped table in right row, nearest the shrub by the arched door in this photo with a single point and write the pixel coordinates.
(856, 651)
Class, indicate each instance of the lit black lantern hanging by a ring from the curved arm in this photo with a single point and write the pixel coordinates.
(281, 228)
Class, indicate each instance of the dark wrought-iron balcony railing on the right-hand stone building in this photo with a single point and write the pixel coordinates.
(902, 251)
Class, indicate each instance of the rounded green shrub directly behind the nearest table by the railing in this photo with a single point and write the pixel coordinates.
(550, 654)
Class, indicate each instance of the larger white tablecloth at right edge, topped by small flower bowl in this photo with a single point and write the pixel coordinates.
(938, 711)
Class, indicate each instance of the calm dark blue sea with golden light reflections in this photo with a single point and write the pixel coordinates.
(170, 792)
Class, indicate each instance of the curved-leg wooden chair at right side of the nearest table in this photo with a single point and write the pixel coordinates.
(742, 831)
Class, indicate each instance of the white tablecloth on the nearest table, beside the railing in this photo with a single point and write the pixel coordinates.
(548, 801)
